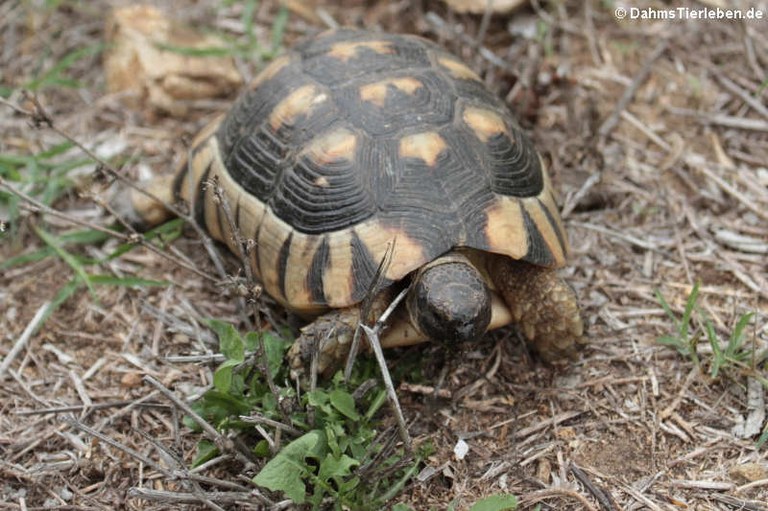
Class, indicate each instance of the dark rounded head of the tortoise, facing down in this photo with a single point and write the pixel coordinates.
(449, 300)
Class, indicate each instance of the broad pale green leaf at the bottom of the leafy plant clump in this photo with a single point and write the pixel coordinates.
(288, 469)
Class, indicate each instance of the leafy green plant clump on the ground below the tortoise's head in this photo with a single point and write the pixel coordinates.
(335, 451)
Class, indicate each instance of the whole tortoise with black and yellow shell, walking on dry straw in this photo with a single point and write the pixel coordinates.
(358, 145)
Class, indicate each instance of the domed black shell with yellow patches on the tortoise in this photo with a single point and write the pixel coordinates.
(356, 143)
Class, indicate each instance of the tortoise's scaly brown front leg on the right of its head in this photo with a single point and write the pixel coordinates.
(544, 306)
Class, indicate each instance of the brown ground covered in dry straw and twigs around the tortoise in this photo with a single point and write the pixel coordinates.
(656, 134)
